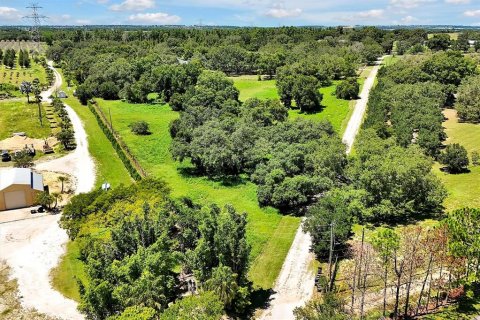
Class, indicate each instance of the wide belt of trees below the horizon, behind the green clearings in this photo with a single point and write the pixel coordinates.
(169, 62)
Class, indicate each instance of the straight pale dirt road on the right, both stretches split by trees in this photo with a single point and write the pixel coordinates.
(295, 283)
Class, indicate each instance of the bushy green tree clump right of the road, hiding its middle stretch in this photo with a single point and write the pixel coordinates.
(398, 182)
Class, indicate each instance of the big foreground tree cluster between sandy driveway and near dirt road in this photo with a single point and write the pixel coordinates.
(131, 270)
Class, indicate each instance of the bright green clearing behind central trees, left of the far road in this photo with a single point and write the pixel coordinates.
(337, 111)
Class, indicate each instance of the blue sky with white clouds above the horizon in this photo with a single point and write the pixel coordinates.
(247, 12)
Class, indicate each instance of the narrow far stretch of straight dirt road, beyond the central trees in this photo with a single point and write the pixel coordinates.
(360, 107)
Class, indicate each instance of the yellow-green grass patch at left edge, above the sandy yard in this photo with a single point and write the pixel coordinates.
(20, 116)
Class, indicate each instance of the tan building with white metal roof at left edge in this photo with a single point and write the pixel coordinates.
(19, 188)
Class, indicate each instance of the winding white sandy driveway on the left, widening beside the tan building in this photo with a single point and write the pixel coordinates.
(33, 247)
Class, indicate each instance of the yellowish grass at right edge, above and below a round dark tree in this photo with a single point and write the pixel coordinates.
(463, 189)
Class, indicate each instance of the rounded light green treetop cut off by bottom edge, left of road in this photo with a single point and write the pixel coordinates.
(205, 306)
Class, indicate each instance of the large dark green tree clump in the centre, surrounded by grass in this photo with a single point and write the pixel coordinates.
(291, 161)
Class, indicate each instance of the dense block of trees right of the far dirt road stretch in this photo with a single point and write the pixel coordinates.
(408, 101)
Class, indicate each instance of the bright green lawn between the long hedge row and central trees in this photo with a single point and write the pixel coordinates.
(269, 232)
